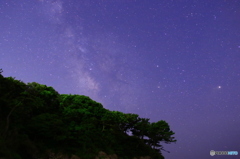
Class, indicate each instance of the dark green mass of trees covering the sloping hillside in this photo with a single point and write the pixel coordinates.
(36, 119)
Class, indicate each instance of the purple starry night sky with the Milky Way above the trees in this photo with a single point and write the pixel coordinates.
(172, 60)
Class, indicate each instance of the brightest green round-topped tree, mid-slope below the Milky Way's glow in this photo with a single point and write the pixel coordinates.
(82, 118)
